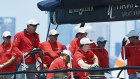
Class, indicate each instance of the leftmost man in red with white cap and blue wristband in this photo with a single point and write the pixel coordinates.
(7, 58)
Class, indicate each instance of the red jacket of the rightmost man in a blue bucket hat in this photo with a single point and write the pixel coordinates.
(132, 54)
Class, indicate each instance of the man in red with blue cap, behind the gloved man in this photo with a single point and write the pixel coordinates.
(102, 53)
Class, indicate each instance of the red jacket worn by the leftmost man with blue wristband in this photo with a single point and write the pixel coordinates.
(5, 55)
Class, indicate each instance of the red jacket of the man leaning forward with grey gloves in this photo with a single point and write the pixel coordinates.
(86, 57)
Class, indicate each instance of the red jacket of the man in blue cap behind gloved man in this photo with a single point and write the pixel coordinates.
(103, 58)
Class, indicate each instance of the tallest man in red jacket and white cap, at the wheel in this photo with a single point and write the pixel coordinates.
(26, 41)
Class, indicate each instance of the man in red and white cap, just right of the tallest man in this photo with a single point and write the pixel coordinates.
(51, 47)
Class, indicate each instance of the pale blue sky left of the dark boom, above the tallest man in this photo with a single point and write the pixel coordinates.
(23, 10)
